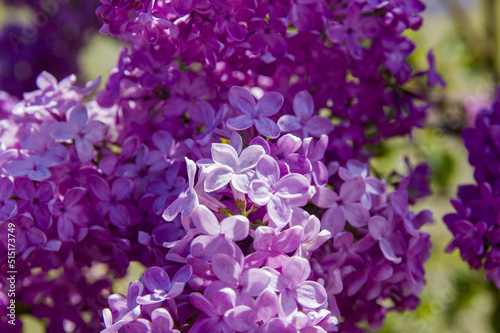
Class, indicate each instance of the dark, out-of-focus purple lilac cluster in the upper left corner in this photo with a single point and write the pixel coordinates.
(51, 40)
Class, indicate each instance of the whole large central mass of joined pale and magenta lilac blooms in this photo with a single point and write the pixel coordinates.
(226, 154)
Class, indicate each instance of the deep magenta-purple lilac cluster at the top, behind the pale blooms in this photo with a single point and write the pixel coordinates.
(351, 57)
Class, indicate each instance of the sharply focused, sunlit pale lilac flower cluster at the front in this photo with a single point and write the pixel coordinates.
(251, 258)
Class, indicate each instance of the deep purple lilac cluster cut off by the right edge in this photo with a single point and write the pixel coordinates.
(475, 224)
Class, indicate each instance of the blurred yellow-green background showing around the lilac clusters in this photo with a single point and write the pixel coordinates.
(464, 36)
